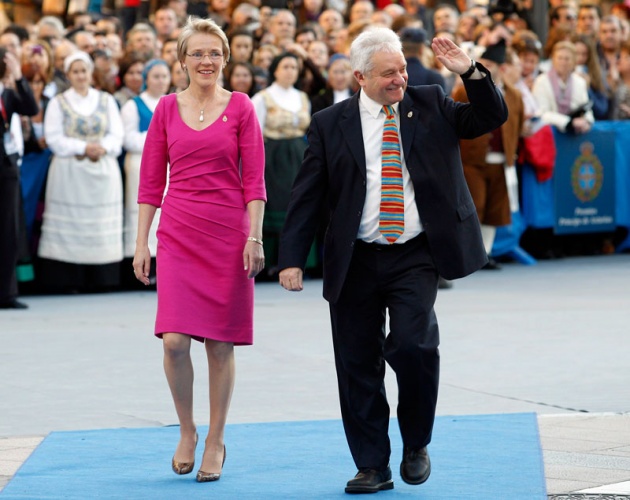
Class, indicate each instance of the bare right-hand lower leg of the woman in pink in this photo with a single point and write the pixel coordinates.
(221, 372)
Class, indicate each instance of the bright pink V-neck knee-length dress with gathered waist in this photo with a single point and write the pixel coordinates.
(203, 290)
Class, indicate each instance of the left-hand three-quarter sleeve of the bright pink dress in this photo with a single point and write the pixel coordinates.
(153, 168)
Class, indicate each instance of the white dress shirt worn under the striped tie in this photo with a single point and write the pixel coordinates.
(372, 122)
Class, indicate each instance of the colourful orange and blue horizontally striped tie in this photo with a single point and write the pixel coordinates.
(392, 216)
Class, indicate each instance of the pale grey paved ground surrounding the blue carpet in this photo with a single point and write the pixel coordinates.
(551, 339)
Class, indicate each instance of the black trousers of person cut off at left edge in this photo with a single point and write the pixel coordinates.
(9, 210)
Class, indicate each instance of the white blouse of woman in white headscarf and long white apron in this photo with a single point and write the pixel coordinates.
(61, 145)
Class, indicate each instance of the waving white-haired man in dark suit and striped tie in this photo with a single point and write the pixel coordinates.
(366, 276)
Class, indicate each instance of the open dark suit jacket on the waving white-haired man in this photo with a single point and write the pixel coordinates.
(334, 166)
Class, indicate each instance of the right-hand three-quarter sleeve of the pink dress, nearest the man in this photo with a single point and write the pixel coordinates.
(252, 154)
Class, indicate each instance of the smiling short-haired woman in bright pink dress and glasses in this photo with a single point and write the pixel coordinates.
(209, 235)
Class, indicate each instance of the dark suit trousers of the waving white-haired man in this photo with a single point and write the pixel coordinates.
(401, 280)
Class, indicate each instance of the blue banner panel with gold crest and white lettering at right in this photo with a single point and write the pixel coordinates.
(584, 180)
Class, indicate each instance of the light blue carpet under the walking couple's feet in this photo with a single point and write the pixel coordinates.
(482, 457)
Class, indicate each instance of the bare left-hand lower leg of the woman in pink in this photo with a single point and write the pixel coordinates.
(180, 375)
